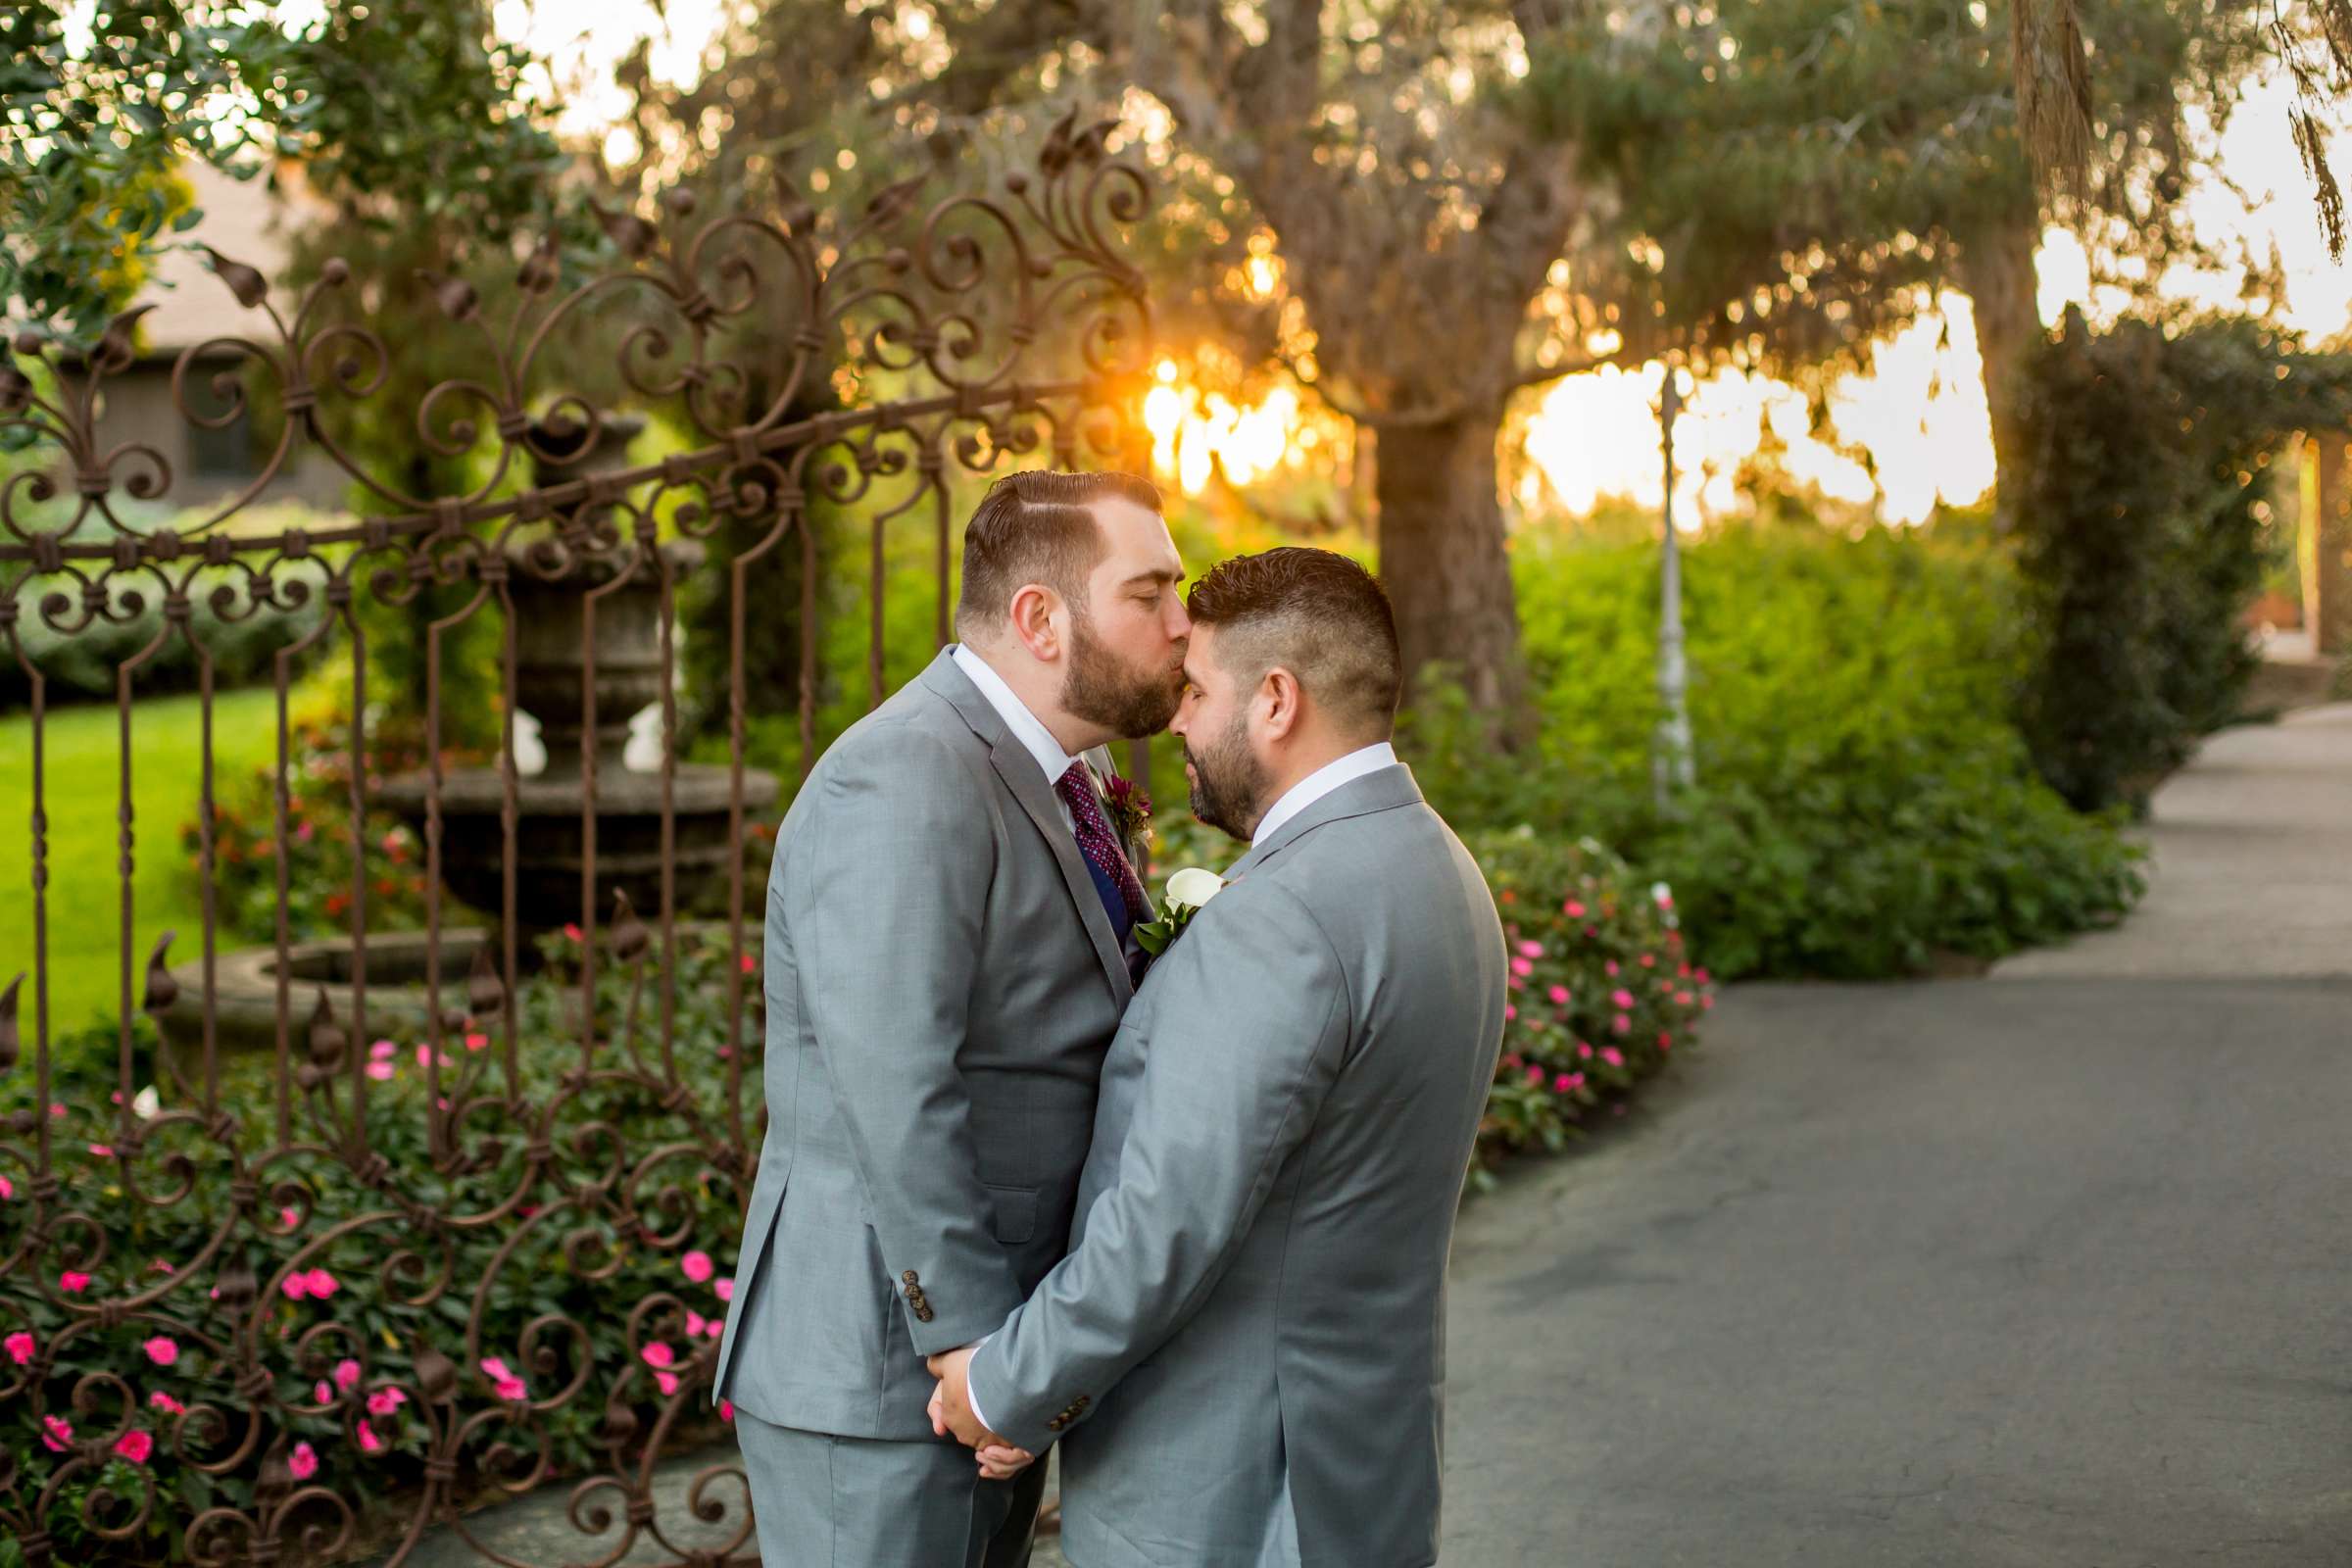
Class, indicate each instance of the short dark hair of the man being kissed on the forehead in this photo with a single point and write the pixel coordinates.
(1316, 615)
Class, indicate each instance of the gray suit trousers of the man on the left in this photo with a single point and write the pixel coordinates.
(827, 1501)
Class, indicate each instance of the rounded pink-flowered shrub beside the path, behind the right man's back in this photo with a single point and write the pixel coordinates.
(1603, 991)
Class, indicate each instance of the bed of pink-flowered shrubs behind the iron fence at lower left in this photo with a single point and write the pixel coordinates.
(528, 1292)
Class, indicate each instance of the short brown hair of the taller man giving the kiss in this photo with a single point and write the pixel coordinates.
(1036, 528)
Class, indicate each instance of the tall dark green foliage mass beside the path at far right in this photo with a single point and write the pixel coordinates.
(2139, 511)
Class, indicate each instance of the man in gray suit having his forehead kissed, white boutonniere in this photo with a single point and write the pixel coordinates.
(1243, 1353)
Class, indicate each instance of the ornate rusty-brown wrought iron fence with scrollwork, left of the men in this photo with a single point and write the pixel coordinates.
(408, 1224)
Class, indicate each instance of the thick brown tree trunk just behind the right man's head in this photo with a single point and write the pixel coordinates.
(1443, 558)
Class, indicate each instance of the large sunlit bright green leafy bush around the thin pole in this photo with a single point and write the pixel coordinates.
(1864, 800)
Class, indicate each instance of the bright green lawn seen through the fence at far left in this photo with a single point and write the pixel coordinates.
(86, 885)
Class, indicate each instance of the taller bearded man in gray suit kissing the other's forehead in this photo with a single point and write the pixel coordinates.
(949, 932)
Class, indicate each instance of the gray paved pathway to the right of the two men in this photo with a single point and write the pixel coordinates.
(2043, 1271)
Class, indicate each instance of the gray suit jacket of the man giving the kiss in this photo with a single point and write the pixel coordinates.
(942, 984)
